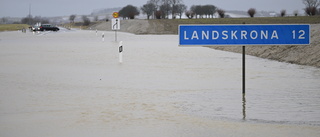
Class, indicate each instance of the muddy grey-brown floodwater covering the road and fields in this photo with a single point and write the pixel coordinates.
(70, 83)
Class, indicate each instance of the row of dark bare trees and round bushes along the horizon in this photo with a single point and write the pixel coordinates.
(161, 9)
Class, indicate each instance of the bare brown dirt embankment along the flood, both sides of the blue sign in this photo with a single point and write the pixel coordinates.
(303, 55)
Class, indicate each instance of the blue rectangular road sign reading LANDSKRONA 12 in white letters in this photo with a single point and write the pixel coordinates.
(220, 35)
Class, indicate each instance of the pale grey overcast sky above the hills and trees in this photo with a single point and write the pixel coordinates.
(50, 8)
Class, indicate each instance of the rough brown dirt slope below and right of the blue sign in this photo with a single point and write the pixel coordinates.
(296, 54)
